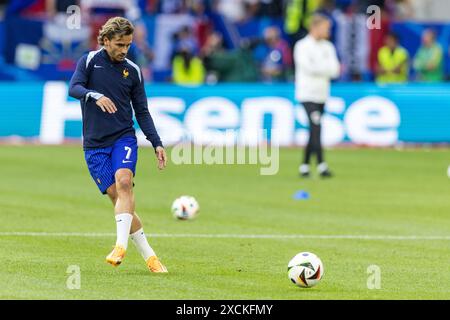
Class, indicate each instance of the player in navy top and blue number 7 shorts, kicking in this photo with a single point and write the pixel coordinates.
(110, 87)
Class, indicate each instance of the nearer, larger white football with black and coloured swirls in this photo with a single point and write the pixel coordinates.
(305, 269)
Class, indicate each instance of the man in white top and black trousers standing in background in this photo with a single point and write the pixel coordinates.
(316, 63)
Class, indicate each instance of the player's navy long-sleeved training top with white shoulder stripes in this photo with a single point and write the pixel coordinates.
(96, 76)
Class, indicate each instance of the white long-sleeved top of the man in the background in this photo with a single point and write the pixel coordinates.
(316, 63)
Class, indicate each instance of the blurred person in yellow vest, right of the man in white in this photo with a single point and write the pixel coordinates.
(393, 62)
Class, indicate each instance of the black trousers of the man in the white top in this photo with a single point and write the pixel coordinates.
(314, 146)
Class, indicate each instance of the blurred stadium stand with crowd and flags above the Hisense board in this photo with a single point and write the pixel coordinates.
(36, 43)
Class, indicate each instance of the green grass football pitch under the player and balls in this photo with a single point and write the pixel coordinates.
(375, 192)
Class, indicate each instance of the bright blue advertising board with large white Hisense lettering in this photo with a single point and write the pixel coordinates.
(365, 114)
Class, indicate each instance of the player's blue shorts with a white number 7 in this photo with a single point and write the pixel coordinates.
(104, 162)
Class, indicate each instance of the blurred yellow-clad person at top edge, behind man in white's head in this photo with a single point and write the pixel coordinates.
(298, 18)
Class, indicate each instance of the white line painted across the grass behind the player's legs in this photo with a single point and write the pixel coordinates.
(231, 236)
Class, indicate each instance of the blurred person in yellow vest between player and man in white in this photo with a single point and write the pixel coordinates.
(187, 68)
